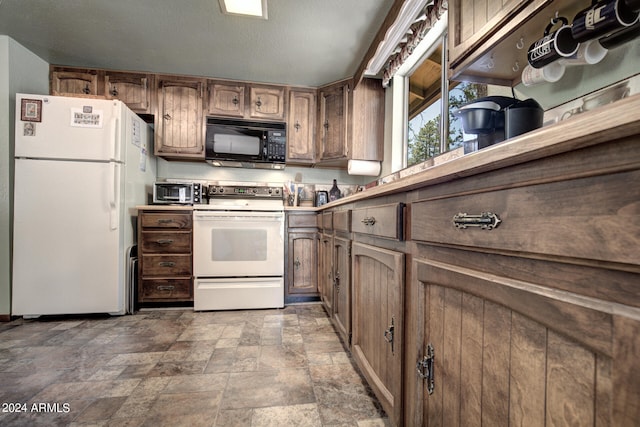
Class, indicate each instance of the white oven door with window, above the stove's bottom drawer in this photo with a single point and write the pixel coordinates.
(238, 243)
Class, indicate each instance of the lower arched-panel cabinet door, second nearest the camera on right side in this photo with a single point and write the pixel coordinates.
(377, 342)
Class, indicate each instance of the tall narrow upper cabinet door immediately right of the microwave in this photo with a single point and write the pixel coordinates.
(301, 126)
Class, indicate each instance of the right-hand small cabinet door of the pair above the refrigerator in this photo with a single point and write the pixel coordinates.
(131, 88)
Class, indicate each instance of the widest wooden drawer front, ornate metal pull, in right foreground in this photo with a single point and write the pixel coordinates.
(592, 218)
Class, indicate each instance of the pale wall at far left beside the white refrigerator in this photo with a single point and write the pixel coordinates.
(20, 71)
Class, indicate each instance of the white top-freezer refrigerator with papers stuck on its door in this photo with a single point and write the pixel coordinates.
(81, 166)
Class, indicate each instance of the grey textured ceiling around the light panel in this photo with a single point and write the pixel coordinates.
(304, 42)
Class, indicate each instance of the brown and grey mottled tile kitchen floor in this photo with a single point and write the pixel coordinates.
(180, 368)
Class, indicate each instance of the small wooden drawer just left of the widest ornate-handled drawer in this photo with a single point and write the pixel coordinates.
(381, 221)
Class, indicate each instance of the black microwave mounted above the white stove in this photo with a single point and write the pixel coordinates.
(240, 143)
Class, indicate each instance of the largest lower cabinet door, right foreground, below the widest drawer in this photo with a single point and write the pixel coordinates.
(509, 352)
